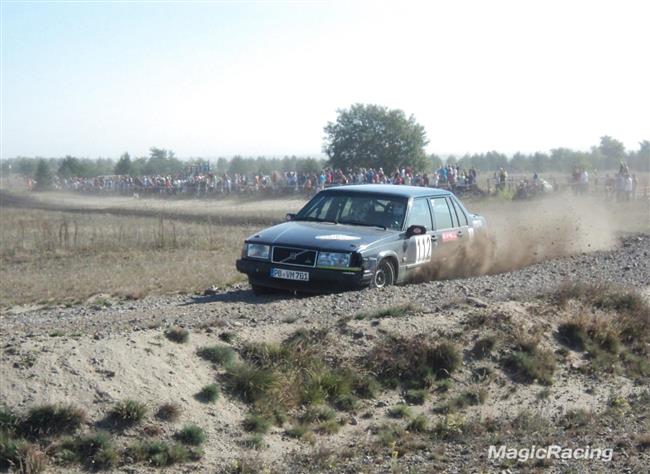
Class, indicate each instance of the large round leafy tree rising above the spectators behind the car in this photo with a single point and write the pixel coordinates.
(374, 136)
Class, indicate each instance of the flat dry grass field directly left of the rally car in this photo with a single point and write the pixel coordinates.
(60, 257)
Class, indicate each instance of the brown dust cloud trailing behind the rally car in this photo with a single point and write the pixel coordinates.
(524, 233)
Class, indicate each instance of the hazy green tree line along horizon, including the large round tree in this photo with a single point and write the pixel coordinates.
(362, 136)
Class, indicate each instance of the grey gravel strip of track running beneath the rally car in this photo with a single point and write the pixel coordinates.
(628, 264)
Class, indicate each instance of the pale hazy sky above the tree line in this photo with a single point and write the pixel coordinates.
(221, 78)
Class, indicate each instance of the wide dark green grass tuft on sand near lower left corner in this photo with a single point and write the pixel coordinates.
(47, 420)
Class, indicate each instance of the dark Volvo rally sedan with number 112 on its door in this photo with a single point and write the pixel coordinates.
(356, 236)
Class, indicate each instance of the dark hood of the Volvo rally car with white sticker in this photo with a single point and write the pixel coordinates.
(322, 235)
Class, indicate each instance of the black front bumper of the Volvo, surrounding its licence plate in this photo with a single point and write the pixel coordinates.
(320, 280)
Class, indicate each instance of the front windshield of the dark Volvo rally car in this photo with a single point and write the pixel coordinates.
(373, 210)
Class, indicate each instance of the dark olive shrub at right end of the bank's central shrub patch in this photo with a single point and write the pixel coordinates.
(415, 362)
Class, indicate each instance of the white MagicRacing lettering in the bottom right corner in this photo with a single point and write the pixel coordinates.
(550, 452)
